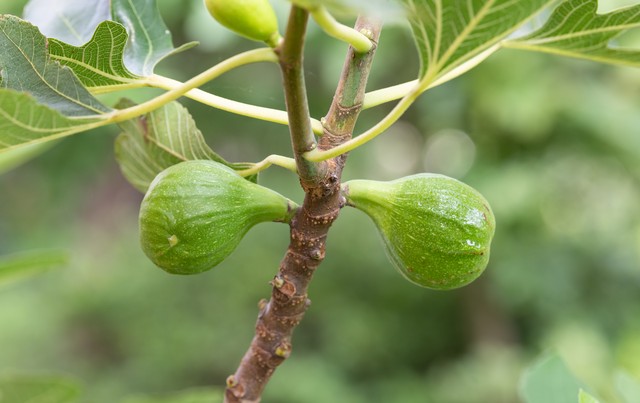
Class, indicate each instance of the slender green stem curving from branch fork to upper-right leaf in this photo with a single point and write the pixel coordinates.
(380, 127)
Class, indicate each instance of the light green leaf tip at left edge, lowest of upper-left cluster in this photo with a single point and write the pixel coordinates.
(24, 121)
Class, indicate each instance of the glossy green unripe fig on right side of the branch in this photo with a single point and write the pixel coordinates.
(436, 230)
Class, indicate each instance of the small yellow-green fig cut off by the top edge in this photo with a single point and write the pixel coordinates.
(253, 19)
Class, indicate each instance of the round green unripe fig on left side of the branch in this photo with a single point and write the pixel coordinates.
(196, 212)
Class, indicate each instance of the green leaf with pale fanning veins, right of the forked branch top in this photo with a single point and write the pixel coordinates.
(453, 36)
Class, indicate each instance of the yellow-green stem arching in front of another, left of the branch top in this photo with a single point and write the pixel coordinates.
(252, 56)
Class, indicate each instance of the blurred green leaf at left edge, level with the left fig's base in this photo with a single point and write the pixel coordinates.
(23, 264)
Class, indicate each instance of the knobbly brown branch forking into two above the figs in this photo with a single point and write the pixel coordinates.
(289, 301)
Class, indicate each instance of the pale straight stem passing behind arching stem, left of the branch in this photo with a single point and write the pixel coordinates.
(239, 108)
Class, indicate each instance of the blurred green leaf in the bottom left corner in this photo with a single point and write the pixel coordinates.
(38, 389)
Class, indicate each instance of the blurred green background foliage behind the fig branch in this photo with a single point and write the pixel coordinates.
(552, 143)
